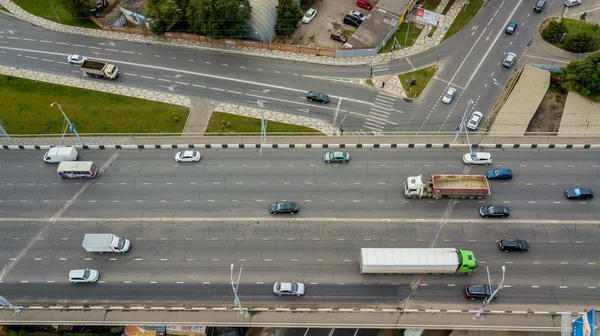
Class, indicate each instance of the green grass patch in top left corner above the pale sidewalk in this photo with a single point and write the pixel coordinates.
(44, 9)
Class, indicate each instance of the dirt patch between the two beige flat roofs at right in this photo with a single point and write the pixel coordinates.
(548, 115)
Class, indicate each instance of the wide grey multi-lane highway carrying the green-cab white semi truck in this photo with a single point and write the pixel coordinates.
(189, 222)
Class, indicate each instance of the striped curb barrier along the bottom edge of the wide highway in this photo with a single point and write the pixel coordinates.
(332, 310)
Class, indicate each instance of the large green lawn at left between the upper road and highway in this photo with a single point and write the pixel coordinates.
(26, 110)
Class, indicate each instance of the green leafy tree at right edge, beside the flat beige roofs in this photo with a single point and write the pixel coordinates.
(583, 76)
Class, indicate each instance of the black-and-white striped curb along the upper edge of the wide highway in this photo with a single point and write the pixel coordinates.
(315, 146)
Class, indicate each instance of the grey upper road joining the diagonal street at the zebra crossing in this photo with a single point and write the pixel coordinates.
(470, 62)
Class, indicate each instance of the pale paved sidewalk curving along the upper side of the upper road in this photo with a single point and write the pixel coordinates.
(423, 44)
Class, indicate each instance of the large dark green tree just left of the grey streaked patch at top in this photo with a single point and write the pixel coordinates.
(219, 19)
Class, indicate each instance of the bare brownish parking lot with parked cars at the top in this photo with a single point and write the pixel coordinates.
(330, 14)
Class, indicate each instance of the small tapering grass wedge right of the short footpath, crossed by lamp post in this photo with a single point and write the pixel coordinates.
(224, 123)
